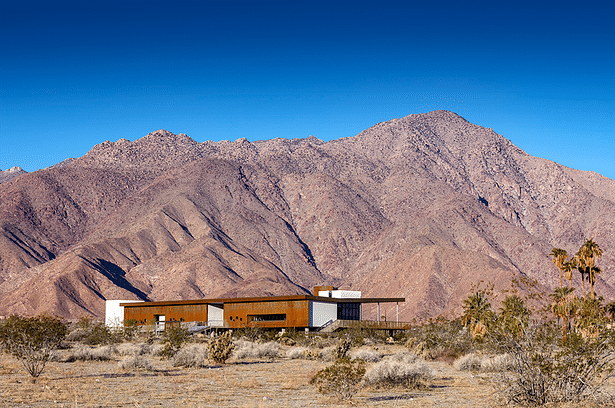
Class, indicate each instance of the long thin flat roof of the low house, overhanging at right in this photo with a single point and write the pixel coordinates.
(221, 301)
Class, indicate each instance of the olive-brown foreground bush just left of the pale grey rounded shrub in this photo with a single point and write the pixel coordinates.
(343, 378)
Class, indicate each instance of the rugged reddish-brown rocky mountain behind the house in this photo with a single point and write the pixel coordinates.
(420, 207)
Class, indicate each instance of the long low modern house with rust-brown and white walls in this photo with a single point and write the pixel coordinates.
(328, 307)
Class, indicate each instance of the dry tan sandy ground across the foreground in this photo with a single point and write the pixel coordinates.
(279, 383)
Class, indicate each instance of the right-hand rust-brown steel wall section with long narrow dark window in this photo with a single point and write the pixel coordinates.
(296, 313)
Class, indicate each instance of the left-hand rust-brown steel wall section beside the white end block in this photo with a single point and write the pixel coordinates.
(187, 313)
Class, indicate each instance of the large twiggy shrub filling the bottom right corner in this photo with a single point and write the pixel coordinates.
(546, 370)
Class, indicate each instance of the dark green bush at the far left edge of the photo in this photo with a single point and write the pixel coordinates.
(32, 340)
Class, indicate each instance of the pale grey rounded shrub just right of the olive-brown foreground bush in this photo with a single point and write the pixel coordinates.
(403, 369)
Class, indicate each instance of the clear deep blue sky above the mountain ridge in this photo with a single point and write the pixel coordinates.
(77, 73)
